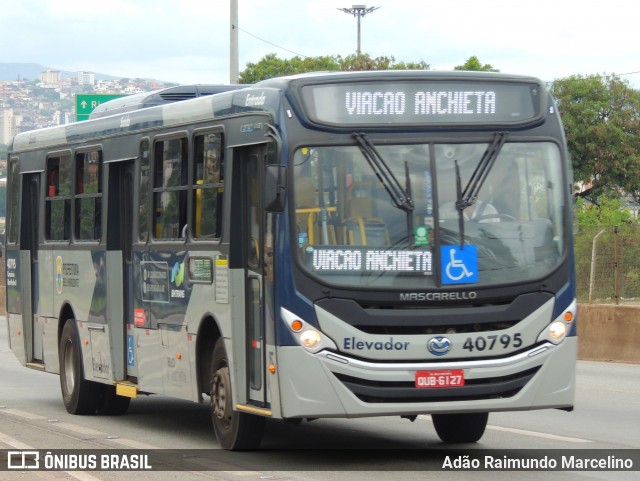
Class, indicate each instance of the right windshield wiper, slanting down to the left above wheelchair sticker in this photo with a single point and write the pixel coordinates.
(468, 197)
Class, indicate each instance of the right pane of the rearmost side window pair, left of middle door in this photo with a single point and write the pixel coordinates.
(88, 198)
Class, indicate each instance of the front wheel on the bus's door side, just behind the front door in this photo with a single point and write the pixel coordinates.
(235, 430)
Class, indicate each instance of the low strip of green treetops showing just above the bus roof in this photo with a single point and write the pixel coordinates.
(271, 66)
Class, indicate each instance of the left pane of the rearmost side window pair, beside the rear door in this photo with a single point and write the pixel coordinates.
(58, 201)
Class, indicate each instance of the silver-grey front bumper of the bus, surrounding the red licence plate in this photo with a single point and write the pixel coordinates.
(327, 384)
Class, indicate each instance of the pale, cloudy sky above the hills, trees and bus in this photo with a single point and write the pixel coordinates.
(187, 41)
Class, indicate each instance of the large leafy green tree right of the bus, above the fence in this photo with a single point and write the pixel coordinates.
(601, 116)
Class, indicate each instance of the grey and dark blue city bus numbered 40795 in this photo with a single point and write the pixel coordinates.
(328, 245)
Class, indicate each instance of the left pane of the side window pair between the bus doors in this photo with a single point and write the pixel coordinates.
(170, 188)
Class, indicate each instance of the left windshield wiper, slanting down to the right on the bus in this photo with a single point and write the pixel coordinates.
(400, 197)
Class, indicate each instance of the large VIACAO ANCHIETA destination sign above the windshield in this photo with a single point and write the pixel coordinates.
(422, 102)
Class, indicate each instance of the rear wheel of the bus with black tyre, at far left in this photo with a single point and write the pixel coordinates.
(79, 395)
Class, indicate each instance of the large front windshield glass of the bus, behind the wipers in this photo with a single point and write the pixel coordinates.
(349, 230)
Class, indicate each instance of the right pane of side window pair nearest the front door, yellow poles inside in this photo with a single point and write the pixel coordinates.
(208, 185)
